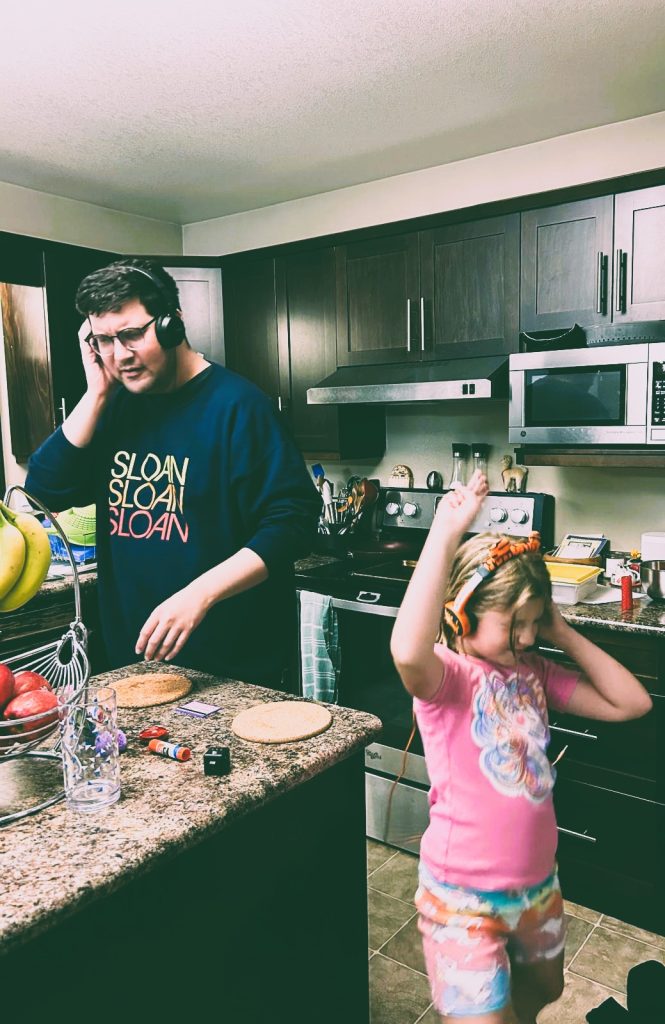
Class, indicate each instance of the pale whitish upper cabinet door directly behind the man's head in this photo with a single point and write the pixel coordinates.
(200, 292)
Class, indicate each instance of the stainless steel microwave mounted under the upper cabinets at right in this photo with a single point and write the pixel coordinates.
(601, 396)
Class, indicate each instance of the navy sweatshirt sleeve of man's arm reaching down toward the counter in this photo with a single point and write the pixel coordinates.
(274, 491)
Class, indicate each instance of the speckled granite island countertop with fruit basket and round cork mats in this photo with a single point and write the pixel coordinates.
(57, 861)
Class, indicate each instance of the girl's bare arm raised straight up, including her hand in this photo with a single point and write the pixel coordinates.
(419, 621)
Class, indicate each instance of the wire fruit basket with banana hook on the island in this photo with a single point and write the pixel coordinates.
(64, 663)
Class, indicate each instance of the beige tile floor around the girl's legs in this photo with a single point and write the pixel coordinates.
(600, 951)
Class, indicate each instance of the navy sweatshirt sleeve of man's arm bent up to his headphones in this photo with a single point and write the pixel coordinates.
(61, 475)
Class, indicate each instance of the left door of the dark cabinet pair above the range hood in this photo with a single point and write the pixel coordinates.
(379, 300)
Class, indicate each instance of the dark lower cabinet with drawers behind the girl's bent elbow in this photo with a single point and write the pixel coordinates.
(610, 795)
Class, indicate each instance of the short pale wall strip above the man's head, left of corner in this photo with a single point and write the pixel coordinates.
(25, 211)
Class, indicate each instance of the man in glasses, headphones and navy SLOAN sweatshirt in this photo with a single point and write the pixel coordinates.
(203, 502)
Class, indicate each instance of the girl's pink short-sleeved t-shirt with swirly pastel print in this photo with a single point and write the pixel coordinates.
(485, 734)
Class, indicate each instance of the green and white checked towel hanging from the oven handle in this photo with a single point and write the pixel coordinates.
(320, 654)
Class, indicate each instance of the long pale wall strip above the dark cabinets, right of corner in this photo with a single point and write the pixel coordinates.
(612, 151)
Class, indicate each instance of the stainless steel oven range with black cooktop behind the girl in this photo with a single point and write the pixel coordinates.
(366, 589)
